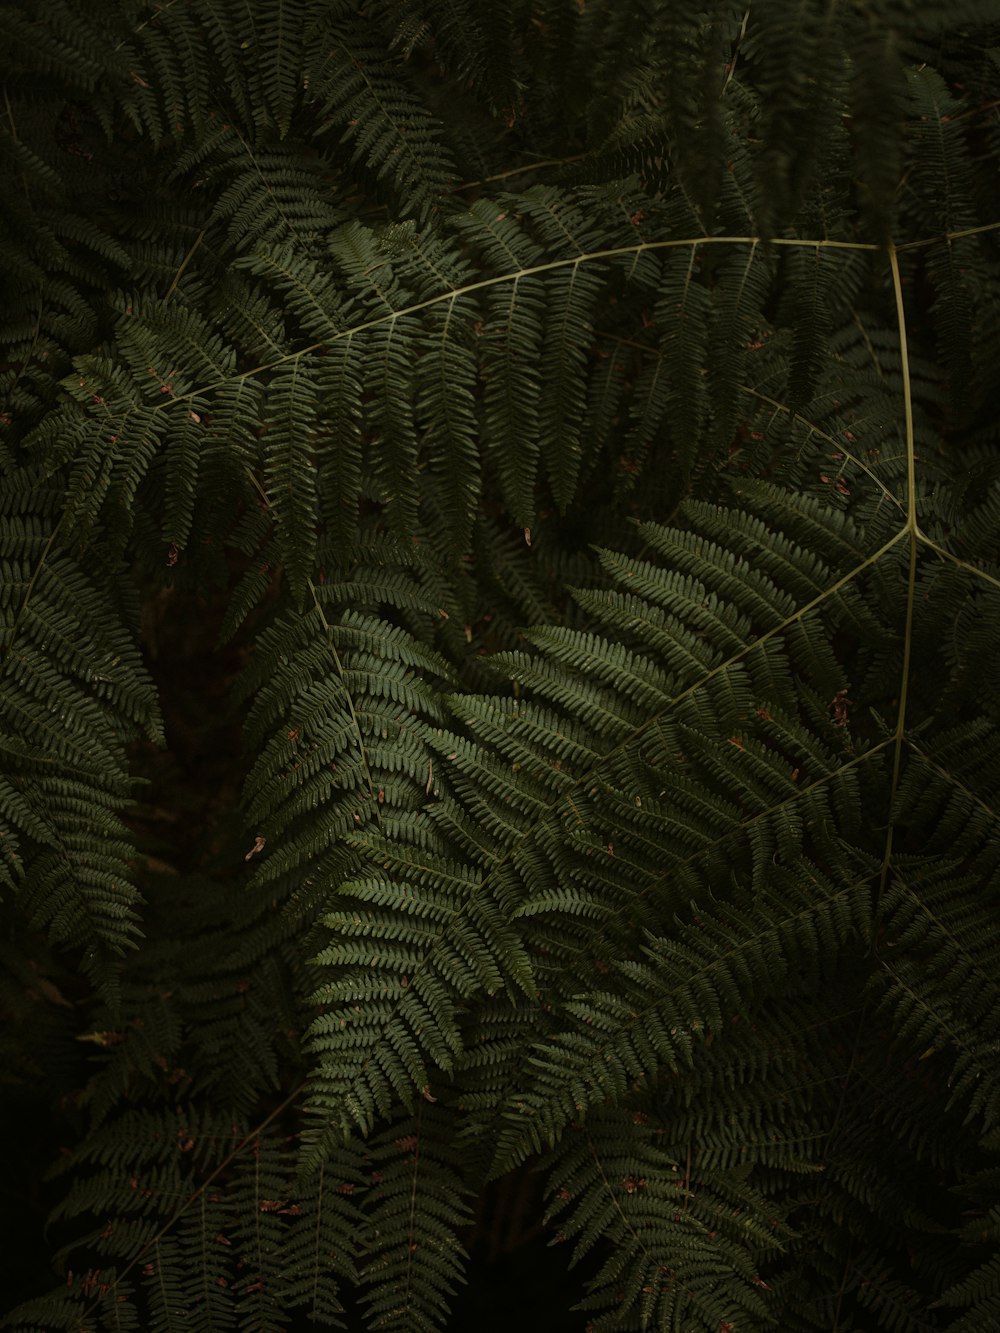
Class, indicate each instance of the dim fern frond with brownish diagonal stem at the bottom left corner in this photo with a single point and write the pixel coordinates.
(245, 1248)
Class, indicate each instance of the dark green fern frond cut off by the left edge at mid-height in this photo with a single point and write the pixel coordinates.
(74, 694)
